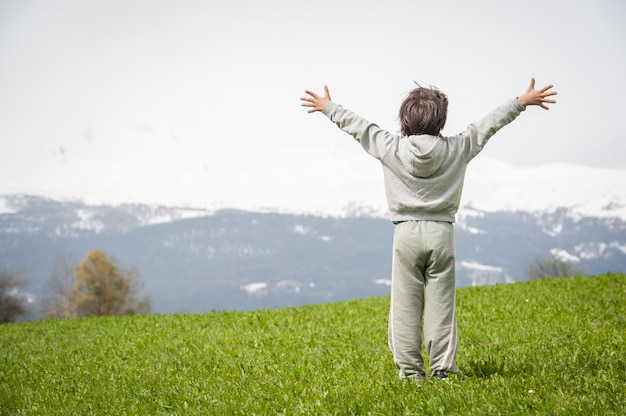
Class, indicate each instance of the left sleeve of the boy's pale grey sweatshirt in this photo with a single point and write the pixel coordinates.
(376, 141)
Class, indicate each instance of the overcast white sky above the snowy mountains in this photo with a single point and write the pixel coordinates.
(112, 82)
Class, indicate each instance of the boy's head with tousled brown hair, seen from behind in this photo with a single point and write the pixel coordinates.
(423, 111)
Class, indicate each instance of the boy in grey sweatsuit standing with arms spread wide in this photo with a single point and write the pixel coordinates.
(423, 175)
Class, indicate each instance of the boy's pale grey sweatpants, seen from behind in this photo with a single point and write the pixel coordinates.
(423, 286)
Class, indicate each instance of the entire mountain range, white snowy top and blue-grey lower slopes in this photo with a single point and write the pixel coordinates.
(238, 227)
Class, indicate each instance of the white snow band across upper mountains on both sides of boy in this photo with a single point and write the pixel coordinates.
(188, 170)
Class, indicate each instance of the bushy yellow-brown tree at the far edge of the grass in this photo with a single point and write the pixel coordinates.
(105, 289)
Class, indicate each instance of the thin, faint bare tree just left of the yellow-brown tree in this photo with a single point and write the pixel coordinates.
(58, 302)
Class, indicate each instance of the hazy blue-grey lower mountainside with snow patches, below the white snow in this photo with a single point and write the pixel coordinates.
(194, 260)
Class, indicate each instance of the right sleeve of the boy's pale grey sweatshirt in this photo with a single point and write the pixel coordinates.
(478, 134)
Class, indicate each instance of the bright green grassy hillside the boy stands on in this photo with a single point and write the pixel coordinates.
(544, 347)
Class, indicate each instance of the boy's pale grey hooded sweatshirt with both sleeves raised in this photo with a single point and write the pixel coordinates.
(423, 174)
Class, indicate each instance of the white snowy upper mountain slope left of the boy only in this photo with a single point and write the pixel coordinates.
(209, 174)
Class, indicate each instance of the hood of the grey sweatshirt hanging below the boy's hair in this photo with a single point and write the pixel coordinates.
(422, 155)
